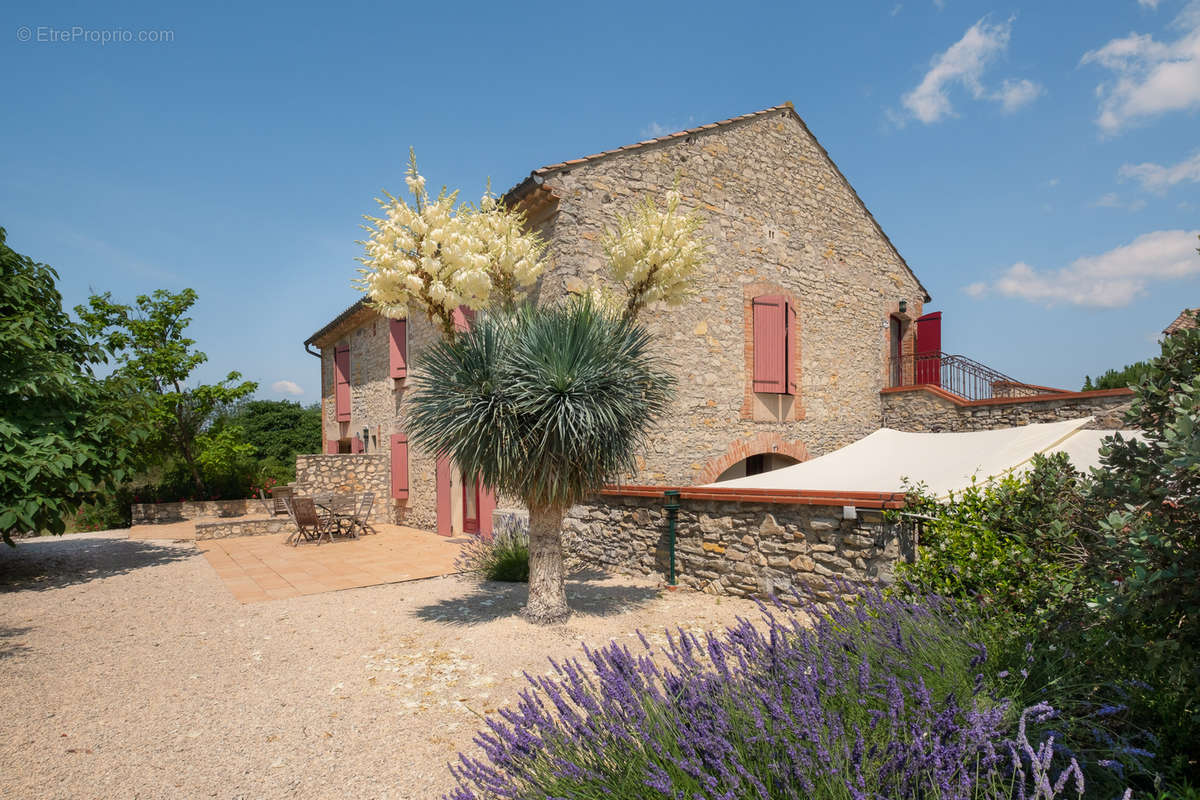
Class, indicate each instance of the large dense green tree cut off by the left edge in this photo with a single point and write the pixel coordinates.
(64, 435)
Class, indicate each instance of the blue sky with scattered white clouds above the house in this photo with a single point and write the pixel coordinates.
(1039, 165)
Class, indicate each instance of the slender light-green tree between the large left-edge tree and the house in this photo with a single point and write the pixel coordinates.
(149, 346)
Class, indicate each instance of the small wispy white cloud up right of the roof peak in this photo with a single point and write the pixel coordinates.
(964, 65)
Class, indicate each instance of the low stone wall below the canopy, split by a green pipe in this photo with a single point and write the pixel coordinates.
(737, 549)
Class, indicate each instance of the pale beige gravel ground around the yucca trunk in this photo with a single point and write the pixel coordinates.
(131, 672)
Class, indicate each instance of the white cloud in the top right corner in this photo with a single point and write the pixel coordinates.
(1150, 77)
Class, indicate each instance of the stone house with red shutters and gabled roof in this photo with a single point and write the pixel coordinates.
(806, 315)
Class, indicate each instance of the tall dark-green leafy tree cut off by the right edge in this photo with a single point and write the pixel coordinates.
(1147, 564)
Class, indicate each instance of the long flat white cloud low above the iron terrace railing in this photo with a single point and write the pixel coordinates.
(1111, 280)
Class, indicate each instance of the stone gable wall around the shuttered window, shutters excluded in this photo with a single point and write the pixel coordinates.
(779, 216)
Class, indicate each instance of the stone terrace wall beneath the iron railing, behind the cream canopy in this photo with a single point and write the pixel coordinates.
(927, 410)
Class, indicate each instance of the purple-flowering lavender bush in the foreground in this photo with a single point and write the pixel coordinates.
(881, 699)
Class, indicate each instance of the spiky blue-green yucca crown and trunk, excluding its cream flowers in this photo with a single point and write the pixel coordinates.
(545, 405)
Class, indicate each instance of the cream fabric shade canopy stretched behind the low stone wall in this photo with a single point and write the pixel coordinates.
(945, 462)
